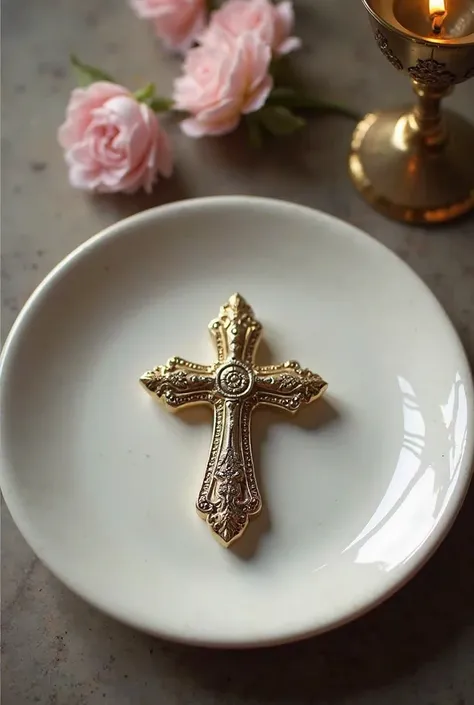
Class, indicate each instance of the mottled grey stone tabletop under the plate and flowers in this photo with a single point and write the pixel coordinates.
(418, 648)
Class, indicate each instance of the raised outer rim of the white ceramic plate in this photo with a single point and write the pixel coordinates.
(120, 229)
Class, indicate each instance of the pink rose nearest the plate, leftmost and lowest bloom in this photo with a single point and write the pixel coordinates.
(112, 142)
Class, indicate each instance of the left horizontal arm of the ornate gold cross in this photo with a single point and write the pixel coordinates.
(180, 382)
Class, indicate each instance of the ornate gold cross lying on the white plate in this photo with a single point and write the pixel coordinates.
(234, 386)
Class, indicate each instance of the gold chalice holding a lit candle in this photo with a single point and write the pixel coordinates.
(417, 164)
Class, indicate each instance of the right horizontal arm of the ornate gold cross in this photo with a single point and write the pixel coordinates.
(287, 386)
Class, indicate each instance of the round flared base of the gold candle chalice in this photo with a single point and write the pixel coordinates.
(402, 175)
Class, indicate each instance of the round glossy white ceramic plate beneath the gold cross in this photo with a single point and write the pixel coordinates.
(358, 489)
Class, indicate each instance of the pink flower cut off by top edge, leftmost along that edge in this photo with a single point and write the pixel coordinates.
(176, 22)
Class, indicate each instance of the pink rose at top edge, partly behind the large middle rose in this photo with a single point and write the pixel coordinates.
(272, 23)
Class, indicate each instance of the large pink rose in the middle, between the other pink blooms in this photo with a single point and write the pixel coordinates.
(223, 79)
